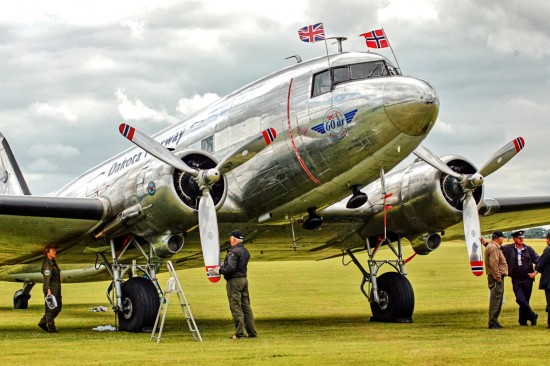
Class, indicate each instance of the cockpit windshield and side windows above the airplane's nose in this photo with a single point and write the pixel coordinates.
(323, 83)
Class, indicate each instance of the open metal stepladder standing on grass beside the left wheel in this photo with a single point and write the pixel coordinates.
(173, 285)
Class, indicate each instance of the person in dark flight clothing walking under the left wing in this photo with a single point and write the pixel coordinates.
(51, 286)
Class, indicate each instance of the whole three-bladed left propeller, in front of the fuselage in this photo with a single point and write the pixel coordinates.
(205, 178)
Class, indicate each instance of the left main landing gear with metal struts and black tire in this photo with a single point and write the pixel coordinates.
(135, 301)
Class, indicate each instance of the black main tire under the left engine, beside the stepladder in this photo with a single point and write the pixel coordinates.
(140, 304)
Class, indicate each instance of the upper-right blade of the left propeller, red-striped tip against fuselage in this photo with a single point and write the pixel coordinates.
(247, 150)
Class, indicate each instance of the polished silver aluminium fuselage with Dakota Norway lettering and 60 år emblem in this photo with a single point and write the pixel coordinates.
(302, 168)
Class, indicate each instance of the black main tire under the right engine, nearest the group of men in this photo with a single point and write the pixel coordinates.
(397, 299)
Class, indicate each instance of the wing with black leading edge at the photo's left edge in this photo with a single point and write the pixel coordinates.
(28, 223)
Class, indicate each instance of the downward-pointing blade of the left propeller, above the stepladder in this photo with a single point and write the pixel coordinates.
(208, 228)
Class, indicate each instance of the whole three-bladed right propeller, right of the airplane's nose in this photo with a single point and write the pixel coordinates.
(469, 182)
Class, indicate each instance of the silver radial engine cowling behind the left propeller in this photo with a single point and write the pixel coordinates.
(169, 198)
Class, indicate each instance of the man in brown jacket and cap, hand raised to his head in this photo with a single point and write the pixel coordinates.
(497, 268)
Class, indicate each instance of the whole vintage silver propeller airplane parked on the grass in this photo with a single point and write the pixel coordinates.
(286, 149)
